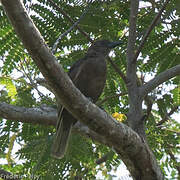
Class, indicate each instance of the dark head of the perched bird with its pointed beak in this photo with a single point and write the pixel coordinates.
(103, 47)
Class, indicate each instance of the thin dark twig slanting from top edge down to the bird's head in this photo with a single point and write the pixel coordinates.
(70, 19)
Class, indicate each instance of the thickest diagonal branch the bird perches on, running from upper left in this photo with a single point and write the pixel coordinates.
(125, 141)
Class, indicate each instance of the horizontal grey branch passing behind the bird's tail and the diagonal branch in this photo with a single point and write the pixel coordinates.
(45, 116)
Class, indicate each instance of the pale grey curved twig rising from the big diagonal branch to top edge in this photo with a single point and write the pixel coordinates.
(70, 29)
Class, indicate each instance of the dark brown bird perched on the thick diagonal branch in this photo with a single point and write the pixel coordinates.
(88, 75)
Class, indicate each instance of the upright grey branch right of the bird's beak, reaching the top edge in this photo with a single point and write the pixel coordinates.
(135, 114)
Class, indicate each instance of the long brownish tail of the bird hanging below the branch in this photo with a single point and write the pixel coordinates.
(61, 139)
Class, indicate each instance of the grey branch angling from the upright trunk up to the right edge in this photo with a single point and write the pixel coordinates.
(159, 79)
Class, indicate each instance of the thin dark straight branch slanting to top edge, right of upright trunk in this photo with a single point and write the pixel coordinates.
(151, 27)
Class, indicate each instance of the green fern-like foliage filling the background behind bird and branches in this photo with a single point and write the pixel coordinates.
(103, 20)
